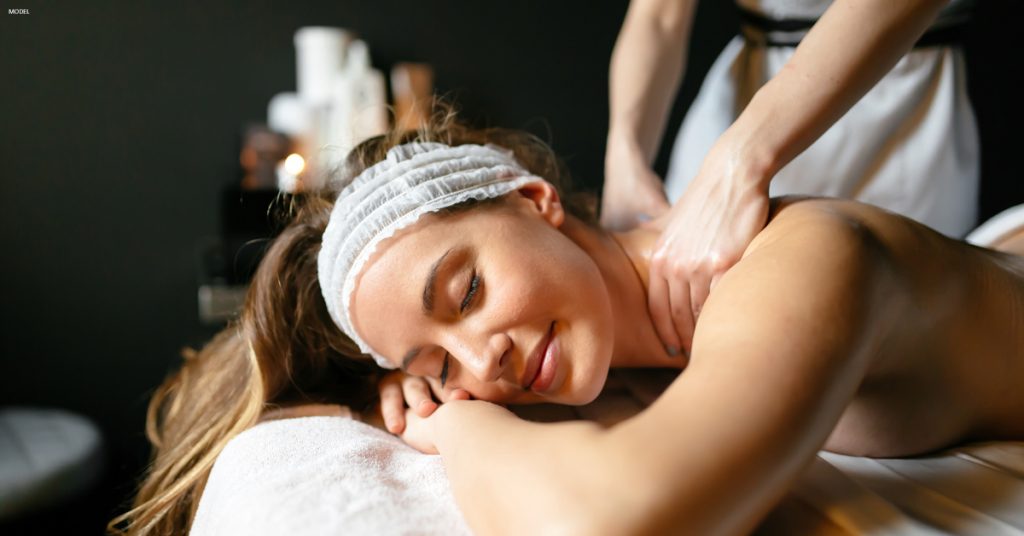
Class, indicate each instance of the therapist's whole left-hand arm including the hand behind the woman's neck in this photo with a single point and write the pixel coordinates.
(648, 65)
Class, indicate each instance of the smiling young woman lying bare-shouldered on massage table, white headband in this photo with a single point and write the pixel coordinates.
(455, 256)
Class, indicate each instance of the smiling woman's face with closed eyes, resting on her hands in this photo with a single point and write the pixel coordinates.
(496, 300)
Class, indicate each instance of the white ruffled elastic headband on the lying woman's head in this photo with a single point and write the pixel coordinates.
(415, 180)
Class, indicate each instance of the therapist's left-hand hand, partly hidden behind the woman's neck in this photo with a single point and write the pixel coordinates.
(633, 193)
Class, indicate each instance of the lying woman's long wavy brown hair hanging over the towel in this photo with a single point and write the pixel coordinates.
(284, 350)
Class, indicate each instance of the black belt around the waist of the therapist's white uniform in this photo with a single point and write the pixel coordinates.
(758, 30)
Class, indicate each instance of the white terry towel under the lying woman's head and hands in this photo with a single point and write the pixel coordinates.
(325, 476)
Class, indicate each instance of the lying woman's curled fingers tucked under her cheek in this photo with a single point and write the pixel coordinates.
(399, 390)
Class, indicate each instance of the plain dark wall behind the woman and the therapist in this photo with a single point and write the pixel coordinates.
(119, 129)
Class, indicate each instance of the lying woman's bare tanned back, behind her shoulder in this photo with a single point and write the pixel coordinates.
(951, 368)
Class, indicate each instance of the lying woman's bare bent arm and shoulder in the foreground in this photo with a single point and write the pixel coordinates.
(783, 346)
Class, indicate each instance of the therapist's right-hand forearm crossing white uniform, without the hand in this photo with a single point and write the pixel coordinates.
(849, 50)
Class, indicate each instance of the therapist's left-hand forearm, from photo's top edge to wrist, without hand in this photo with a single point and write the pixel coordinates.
(648, 65)
